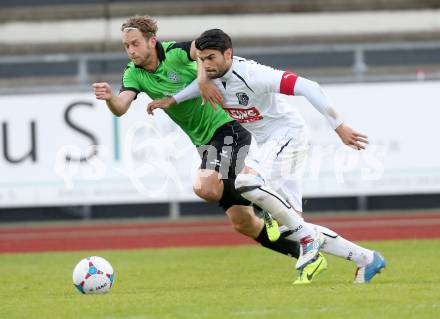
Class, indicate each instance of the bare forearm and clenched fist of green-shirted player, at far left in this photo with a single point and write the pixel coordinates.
(118, 104)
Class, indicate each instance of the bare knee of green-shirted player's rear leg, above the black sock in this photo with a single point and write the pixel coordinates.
(245, 221)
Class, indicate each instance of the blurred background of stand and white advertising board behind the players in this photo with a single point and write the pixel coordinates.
(378, 60)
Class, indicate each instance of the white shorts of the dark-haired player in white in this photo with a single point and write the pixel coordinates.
(280, 160)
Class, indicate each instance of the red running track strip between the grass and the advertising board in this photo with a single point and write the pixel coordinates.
(422, 225)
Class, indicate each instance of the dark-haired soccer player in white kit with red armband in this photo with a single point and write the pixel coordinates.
(253, 95)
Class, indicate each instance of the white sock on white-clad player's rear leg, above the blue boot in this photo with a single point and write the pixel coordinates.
(339, 246)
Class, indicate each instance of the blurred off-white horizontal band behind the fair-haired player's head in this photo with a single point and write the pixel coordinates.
(187, 27)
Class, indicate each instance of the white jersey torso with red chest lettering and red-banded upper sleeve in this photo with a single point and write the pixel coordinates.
(252, 97)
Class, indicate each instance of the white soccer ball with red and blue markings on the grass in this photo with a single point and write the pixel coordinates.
(93, 275)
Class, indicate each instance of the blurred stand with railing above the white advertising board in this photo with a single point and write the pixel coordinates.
(295, 36)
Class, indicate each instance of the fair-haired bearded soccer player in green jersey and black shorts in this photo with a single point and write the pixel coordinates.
(164, 68)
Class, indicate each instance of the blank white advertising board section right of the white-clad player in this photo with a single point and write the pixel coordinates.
(402, 123)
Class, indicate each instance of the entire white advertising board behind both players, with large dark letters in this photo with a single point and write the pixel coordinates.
(148, 159)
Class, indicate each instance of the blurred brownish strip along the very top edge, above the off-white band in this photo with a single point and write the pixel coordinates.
(43, 10)
